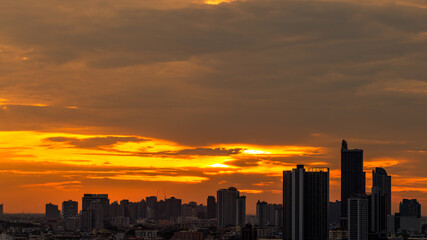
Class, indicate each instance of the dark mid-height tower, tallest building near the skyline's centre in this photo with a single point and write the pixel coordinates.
(227, 207)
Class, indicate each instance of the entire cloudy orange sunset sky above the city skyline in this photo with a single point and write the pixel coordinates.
(182, 97)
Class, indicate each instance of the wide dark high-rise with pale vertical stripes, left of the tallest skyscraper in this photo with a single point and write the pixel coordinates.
(305, 203)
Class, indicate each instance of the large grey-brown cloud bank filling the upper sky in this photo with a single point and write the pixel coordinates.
(261, 72)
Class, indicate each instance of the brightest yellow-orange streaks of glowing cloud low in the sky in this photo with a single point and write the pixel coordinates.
(141, 152)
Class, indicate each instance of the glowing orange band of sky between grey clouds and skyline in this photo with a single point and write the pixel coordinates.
(53, 166)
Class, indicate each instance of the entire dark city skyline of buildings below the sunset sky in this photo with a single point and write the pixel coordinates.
(306, 213)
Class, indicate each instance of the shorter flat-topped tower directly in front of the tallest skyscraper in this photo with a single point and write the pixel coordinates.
(358, 218)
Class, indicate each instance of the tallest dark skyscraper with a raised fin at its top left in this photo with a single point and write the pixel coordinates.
(352, 176)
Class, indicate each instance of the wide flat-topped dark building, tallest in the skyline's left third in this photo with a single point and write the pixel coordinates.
(95, 211)
